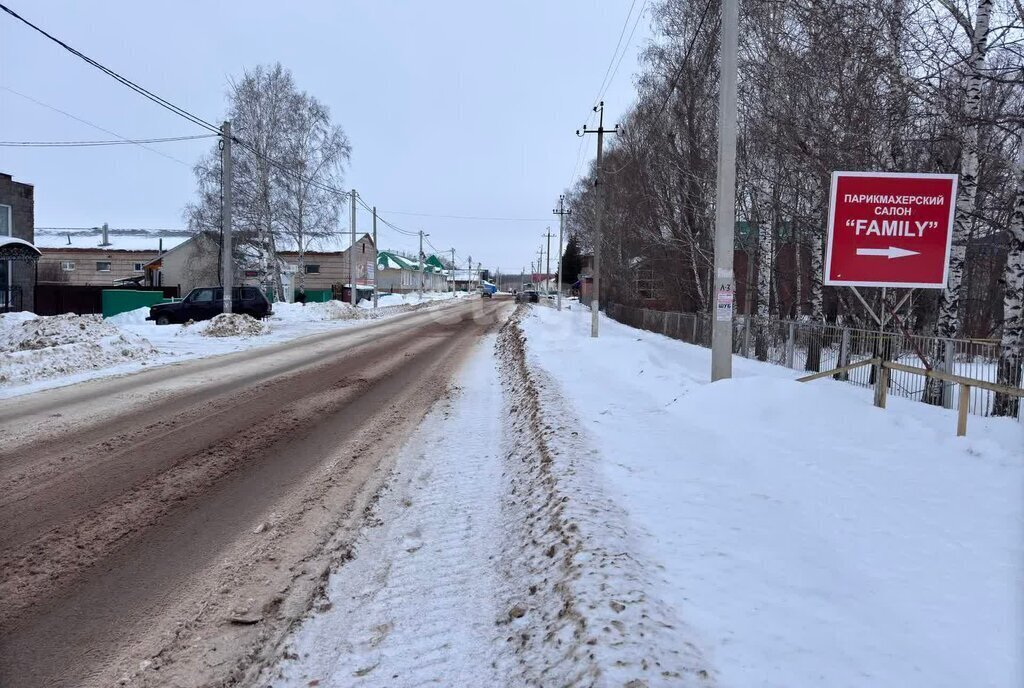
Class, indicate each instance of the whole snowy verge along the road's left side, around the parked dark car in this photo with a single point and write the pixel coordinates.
(39, 354)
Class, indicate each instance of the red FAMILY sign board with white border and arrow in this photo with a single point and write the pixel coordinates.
(890, 230)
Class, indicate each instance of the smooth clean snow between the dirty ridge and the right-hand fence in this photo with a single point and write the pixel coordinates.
(804, 536)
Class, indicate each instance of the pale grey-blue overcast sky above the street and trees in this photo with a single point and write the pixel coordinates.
(463, 108)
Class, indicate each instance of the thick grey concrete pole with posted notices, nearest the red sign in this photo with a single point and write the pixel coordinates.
(726, 206)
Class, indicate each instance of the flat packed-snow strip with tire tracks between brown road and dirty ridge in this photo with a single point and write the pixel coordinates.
(417, 605)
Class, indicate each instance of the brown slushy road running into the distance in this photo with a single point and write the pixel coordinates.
(183, 517)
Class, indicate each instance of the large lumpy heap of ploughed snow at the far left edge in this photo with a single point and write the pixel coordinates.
(33, 348)
